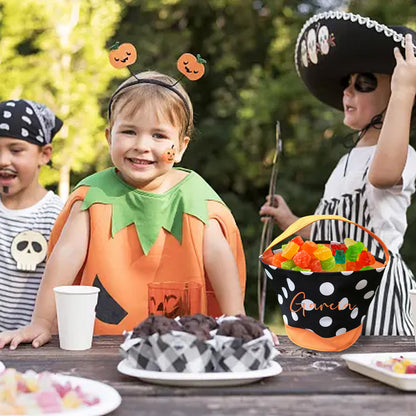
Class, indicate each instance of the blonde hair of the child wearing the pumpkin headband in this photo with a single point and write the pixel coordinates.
(166, 103)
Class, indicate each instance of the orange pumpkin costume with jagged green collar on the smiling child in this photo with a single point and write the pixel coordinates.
(138, 237)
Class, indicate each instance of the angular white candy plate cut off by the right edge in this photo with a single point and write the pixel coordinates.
(366, 364)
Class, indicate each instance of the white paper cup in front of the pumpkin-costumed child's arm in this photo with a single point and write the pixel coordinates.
(75, 308)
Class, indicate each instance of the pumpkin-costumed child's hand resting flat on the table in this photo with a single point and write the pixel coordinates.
(37, 334)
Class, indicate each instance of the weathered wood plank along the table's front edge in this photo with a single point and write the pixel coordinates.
(300, 405)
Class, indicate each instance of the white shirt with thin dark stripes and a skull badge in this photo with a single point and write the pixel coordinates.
(18, 283)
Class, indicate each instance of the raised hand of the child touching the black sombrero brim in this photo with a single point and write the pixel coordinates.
(404, 74)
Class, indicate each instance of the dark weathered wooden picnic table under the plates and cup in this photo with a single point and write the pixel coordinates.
(311, 383)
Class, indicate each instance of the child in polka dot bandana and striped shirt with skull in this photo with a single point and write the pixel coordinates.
(27, 210)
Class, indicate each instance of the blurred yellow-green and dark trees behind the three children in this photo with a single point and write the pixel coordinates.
(55, 51)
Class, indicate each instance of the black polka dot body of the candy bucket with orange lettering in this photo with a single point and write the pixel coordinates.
(328, 304)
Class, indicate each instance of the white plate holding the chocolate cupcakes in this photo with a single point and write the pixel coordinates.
(199, 379)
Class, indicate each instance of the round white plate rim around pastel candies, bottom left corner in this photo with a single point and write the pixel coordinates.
(110, 399)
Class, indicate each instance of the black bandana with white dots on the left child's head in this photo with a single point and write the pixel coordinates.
(29, 121)
